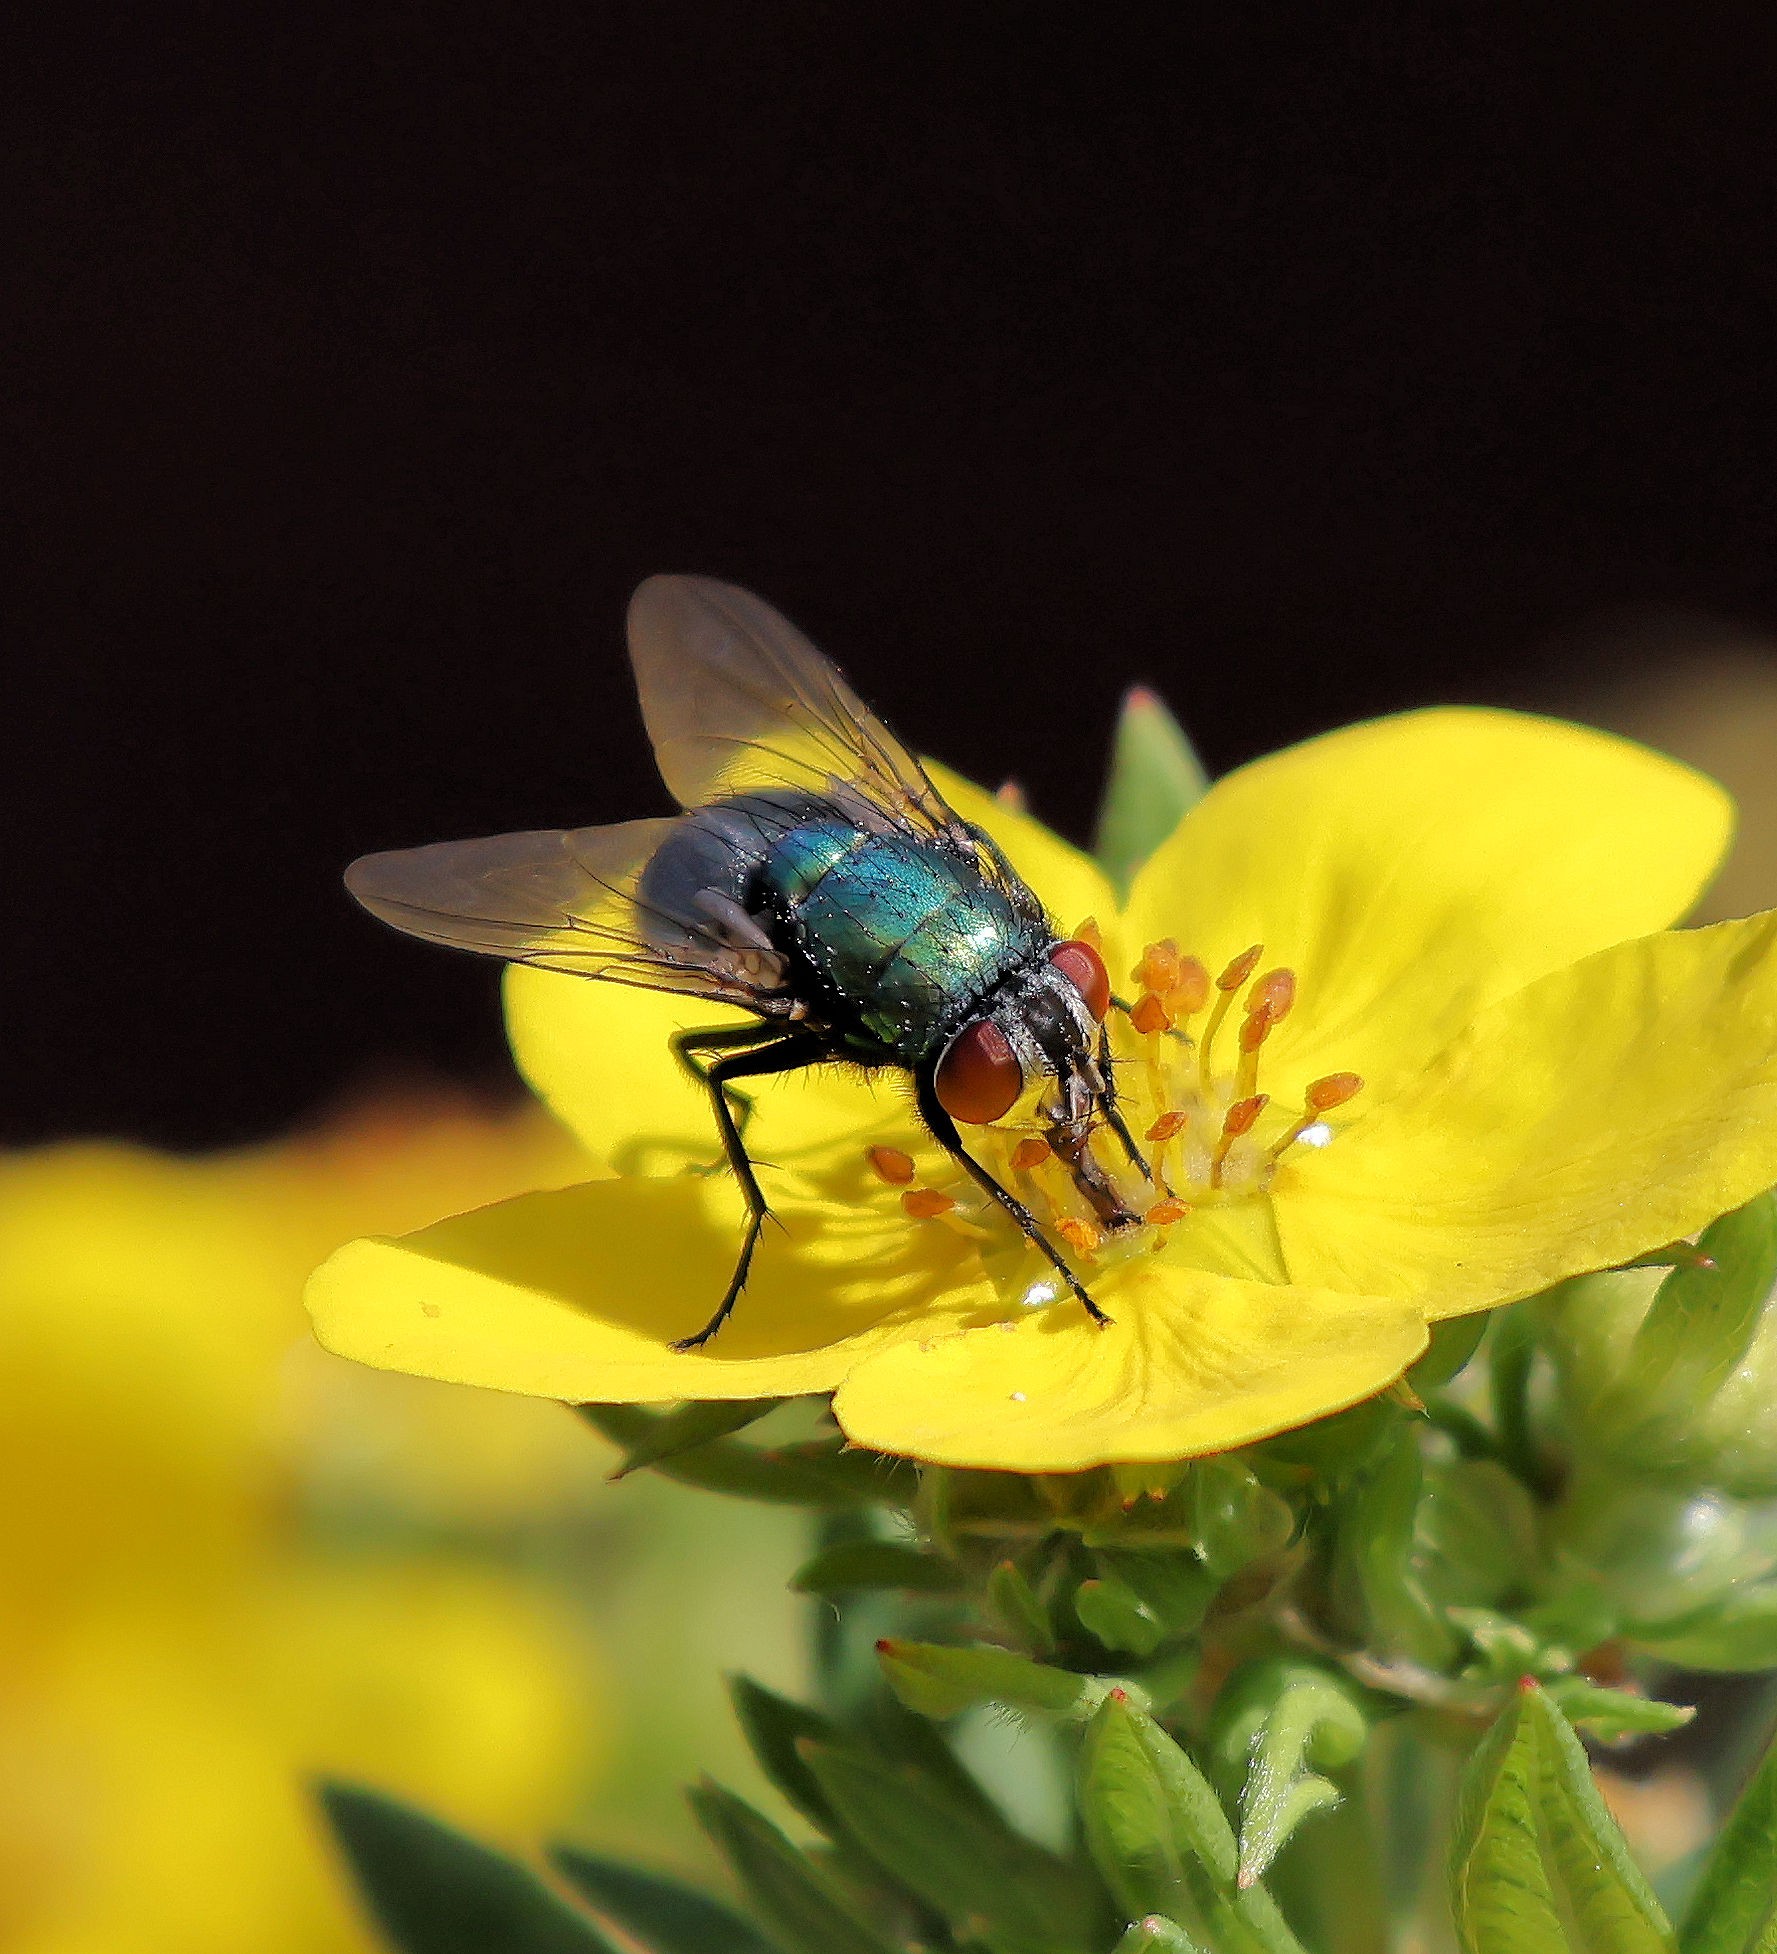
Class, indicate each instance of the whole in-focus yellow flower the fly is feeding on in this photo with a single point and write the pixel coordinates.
(1471, 1060)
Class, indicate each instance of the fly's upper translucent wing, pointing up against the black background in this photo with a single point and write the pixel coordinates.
(738, 702)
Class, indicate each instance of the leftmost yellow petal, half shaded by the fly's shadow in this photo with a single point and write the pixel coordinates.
(578, 1295)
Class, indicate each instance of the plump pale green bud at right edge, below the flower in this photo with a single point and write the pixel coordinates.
(1674, 1373)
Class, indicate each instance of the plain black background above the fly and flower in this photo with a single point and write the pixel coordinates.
(1305, 364)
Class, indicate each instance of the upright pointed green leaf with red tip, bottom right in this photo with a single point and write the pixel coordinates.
(1538, 1861)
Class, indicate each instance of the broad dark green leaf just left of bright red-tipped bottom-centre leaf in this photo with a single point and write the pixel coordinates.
(965, 1863)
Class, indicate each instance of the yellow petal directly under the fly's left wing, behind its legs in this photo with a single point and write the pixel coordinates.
(601, 1058)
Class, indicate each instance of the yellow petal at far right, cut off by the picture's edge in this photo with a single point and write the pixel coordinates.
(1600, 1113)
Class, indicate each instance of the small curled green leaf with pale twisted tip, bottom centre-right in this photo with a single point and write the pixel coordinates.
(1274, 1730)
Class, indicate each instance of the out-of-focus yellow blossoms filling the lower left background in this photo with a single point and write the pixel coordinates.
(183, 1646)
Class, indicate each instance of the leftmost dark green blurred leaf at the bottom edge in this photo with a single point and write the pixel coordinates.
(437, 1892)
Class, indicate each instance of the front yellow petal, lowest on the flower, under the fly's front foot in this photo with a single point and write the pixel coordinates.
(1190, 1365)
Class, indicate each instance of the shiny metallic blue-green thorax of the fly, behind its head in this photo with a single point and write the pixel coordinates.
(902, 931)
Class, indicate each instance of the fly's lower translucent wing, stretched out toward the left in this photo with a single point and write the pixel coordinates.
(574, 902)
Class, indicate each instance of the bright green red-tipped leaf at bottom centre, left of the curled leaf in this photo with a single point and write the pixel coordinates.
(1162, 1840)
